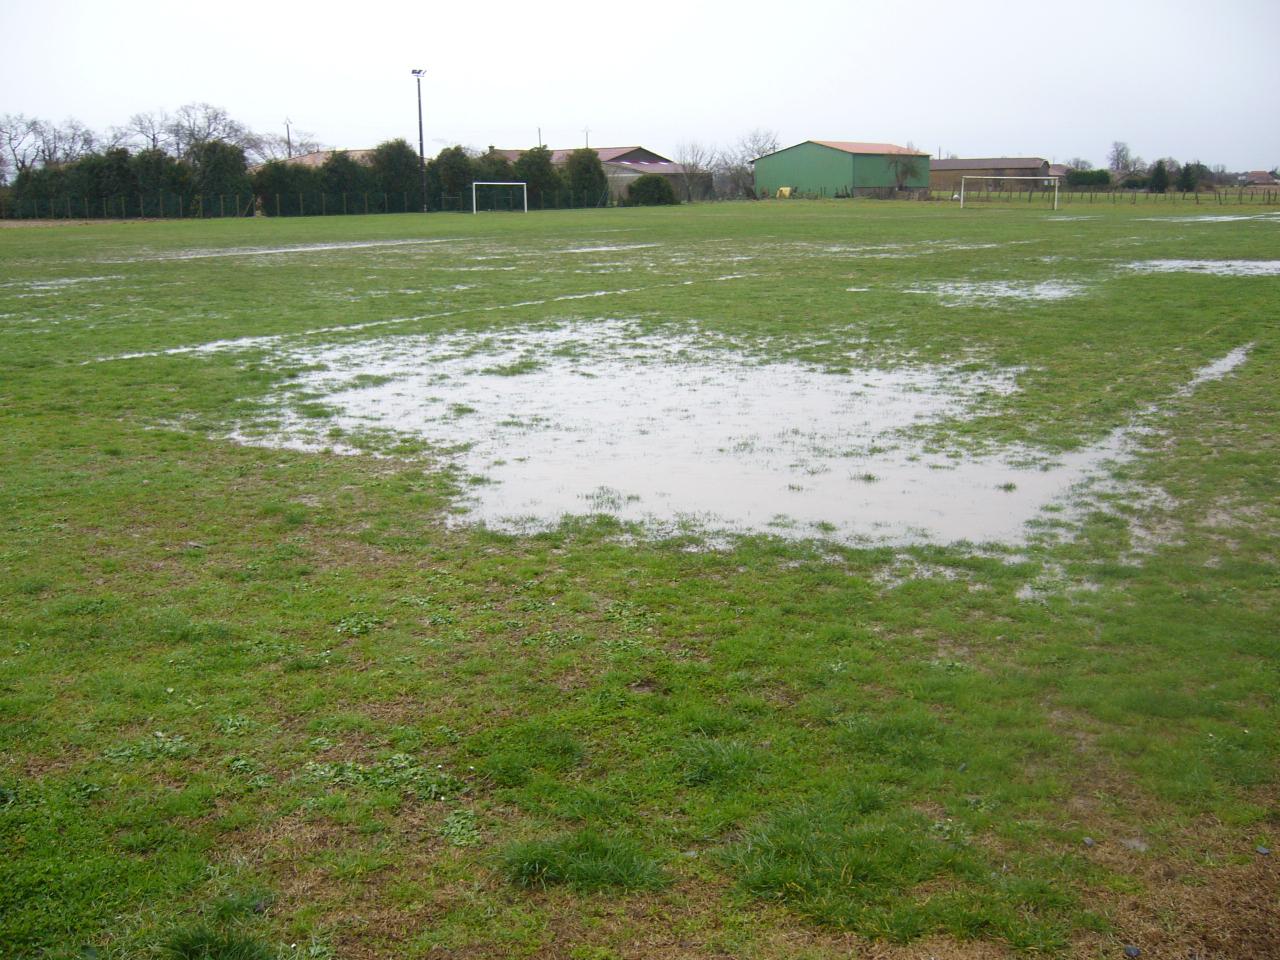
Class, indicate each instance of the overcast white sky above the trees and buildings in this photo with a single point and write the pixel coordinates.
(1169, 77)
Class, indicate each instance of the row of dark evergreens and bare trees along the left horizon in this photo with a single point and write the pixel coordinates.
(200, 154)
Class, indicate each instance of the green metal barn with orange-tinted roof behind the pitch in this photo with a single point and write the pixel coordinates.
(830, 168)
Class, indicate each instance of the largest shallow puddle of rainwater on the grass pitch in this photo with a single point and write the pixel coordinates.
(680, 432)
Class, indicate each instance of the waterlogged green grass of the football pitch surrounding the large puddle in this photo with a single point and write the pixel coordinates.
(276, 702)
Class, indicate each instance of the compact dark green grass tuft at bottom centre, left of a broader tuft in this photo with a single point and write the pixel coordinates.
(584, 862)
